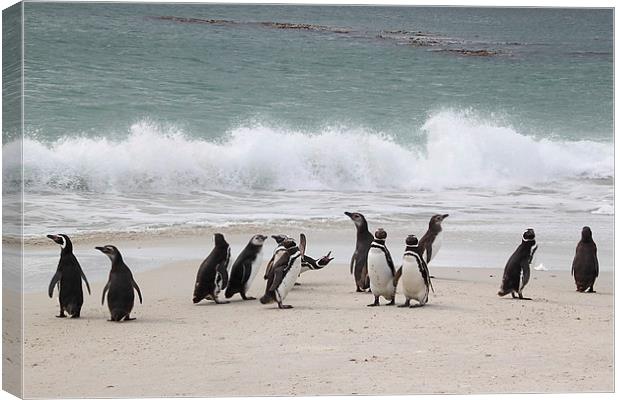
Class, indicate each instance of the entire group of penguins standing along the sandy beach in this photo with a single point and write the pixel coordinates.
(371, 265)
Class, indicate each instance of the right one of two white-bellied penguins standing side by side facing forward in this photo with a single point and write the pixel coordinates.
(414, 274)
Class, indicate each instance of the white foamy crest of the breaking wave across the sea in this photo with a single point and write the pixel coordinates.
(460, 151)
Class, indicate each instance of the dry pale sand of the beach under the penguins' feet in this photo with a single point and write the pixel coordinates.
(466, 340)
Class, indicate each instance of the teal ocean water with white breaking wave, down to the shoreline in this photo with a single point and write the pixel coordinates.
(163, 117)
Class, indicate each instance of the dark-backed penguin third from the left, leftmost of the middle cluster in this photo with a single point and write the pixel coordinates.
(212, 275)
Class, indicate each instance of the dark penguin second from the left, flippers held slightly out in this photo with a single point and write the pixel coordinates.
(120, 286)
